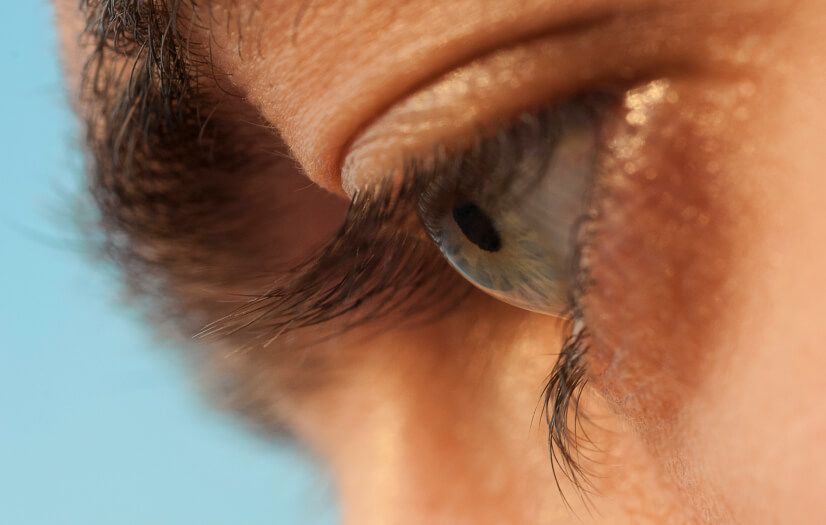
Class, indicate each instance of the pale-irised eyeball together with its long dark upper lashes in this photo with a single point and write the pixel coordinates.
(502, 210)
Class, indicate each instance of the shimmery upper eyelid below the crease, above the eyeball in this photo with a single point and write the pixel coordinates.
(488, 92)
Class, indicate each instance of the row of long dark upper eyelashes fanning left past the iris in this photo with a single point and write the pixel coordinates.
(378, 263)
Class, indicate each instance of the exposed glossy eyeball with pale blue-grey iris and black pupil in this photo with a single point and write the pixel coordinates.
(504, 214)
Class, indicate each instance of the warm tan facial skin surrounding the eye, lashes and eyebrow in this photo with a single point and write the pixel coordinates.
(706, 361)
